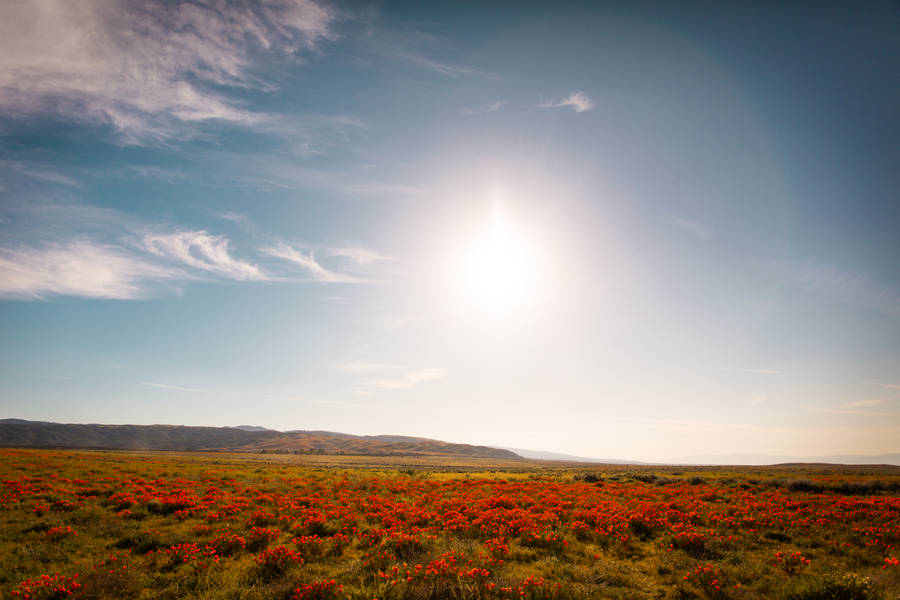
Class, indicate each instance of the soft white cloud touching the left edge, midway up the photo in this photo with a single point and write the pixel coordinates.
(78, 268)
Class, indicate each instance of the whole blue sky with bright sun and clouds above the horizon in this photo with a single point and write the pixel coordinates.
(633, 230)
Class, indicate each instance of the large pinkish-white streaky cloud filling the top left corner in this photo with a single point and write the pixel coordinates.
(146, 68)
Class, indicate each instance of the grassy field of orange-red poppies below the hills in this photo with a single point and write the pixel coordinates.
(216, 526)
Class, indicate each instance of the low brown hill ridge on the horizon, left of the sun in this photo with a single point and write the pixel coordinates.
(245, 438)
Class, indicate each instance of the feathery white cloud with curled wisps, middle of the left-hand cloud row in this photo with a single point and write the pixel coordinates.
(203, 251)
